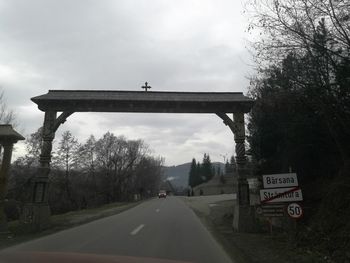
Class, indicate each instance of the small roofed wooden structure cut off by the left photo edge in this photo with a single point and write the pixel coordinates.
(8, 137)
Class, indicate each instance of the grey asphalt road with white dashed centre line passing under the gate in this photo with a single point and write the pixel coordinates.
(159, 228)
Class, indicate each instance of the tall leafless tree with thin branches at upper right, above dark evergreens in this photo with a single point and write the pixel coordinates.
(314, 35)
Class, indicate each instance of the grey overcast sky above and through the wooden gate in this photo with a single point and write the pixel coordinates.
(180, 45)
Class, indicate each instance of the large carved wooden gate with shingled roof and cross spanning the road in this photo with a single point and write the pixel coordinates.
(37, 213)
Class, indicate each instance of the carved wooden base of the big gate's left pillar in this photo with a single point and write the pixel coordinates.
(35, 217)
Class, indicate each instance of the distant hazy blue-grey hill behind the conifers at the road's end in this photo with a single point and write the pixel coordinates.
(178, 175)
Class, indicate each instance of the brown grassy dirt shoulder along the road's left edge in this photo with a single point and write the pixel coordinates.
(63, 221)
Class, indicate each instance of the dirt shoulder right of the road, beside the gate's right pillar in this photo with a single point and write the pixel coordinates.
(247, 247)
